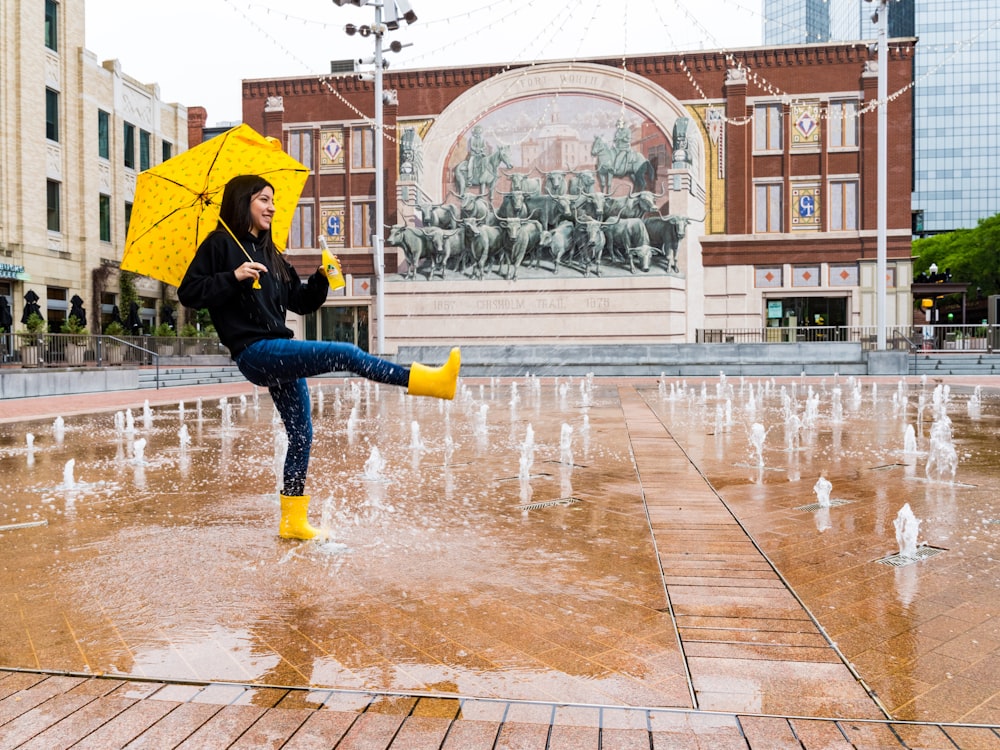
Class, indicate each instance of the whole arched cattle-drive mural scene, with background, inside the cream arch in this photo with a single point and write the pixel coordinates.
(562, 184)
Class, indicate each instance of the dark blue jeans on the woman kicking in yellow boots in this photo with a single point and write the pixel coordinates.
(282, 365)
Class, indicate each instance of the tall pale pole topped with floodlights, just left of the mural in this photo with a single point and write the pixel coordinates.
(394, 10)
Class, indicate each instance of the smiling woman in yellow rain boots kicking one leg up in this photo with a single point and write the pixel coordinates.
(238, 274)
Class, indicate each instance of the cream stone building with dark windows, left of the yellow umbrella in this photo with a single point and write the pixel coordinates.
(75, 133)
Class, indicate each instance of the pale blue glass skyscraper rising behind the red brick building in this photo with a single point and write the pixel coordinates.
(956, 94)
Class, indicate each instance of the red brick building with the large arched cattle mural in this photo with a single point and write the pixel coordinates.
(765, 159)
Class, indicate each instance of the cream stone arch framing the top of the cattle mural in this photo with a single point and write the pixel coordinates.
(641, 95)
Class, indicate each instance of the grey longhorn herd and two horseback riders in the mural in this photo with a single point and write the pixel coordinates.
(573, 221)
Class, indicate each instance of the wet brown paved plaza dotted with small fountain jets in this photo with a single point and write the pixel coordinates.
(542, 563)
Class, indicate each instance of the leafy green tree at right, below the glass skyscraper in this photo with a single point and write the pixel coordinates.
(971, 255)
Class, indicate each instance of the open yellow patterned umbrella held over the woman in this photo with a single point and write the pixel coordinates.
(177, 202)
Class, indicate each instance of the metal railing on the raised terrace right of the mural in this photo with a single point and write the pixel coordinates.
(940, 338)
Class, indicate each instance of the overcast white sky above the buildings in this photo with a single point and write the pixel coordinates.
(199, 51)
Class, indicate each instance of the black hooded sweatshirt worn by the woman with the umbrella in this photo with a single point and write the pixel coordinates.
(241, 314)
